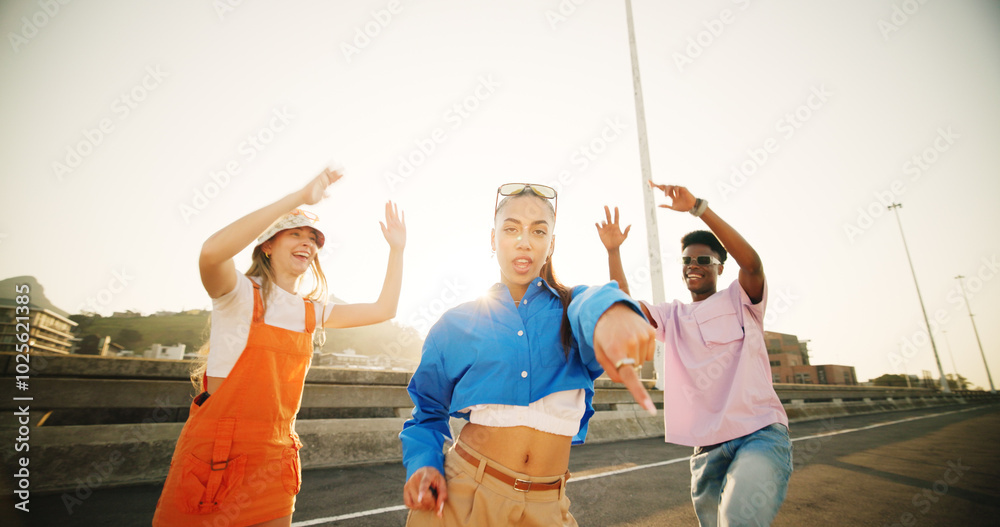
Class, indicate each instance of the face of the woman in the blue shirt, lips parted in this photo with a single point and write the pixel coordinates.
(523, 240)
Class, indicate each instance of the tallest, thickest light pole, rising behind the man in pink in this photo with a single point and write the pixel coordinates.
(652, 232)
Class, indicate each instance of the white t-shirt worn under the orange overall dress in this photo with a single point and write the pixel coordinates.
(233, 312)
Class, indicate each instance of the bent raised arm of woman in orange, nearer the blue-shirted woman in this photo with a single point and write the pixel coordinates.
(353, 315)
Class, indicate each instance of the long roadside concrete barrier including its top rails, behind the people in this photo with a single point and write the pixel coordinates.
(111, 422)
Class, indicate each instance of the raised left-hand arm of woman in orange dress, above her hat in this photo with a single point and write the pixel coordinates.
(218, 272)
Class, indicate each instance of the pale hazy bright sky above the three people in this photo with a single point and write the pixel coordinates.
(794, 119)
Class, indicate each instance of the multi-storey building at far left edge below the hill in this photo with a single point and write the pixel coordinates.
(48, 331)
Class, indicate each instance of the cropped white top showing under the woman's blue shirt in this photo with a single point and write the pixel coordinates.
(557, 413)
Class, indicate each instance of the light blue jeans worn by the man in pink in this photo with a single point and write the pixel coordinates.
(742, 481)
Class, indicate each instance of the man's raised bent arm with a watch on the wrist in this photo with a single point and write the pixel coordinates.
(751, 269)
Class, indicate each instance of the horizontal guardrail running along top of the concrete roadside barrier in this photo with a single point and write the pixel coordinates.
(81, 389)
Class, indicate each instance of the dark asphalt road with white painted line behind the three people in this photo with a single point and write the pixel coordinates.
(938, 466)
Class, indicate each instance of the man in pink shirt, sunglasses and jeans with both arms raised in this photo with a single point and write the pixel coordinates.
(717, 391)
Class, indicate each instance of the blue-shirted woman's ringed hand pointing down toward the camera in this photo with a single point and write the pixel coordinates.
(622, 334)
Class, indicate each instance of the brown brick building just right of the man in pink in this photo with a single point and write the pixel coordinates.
(789, 360)
